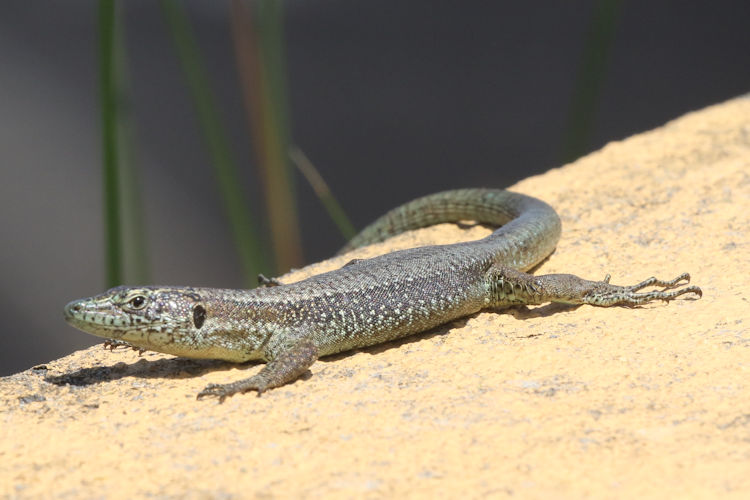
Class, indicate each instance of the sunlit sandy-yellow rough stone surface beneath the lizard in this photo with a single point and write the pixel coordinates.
(536, 402)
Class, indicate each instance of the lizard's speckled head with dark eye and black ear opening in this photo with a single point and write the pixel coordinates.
(147, 317)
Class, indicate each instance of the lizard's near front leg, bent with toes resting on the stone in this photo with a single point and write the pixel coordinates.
(287, 361)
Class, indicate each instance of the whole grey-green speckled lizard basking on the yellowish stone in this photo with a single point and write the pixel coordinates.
(365, 302)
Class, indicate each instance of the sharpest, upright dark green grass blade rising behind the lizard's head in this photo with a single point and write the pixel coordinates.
(110, 176)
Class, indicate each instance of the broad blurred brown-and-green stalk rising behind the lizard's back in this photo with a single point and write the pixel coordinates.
(260, 57)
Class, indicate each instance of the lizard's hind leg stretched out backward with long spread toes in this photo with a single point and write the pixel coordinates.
(511, 287)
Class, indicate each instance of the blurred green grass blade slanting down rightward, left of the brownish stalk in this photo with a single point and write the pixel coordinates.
(243, 230)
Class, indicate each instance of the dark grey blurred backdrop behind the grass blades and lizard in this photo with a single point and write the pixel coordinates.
(390, 100)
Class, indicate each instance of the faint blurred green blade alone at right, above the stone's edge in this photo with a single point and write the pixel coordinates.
(590, 77)
